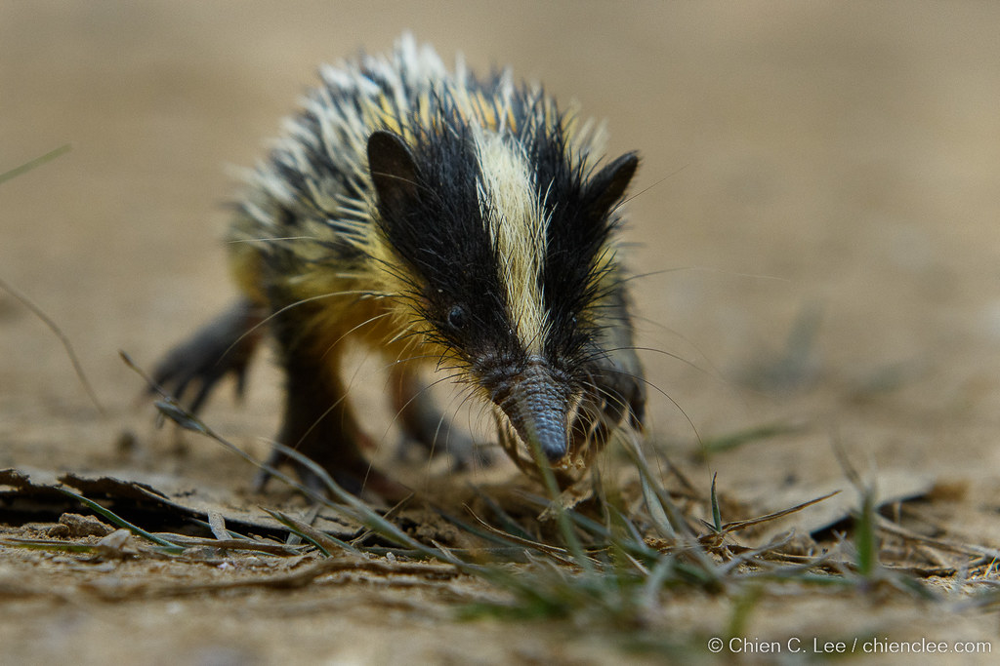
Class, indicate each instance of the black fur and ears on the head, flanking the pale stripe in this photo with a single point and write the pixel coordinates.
(430, 214)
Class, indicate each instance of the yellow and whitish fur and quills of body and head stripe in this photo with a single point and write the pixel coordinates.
(365, 300)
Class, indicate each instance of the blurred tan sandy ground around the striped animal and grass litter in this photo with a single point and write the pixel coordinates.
(822, 167)
